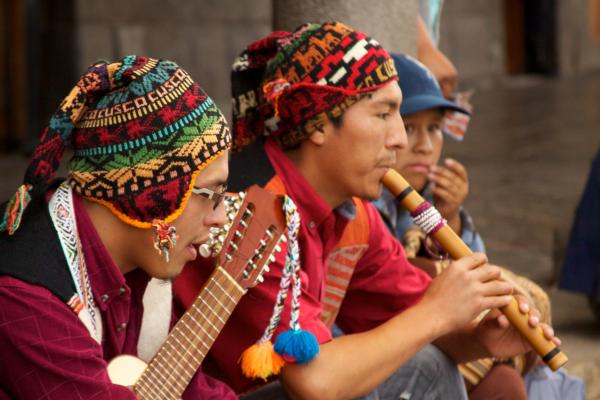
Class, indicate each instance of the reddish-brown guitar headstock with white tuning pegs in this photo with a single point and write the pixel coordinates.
(247, 244)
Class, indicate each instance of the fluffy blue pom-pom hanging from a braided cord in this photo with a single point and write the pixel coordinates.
(297, 346)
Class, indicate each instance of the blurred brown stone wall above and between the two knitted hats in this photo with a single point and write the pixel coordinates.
(204, 37)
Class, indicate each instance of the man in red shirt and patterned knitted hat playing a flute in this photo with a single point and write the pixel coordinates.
(316, 117)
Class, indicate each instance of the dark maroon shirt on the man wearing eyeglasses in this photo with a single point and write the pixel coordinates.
(47, 353)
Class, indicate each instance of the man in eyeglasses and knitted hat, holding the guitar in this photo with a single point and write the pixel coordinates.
(145, 184)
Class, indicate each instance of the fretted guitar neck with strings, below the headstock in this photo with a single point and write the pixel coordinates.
(174, 365)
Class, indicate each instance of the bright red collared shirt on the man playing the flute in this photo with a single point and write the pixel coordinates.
(383, 284)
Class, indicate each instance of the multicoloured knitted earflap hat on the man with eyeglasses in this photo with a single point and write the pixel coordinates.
(141, 129)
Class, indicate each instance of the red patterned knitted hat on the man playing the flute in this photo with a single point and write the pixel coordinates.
(287, 84)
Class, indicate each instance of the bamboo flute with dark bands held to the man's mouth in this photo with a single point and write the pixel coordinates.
(456, 248)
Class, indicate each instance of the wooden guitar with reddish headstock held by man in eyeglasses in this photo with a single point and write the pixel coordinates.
(244, 250)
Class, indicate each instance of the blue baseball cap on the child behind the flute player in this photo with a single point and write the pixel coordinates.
(420, 89)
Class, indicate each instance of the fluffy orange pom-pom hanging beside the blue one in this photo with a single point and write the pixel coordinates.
(261, 361)
